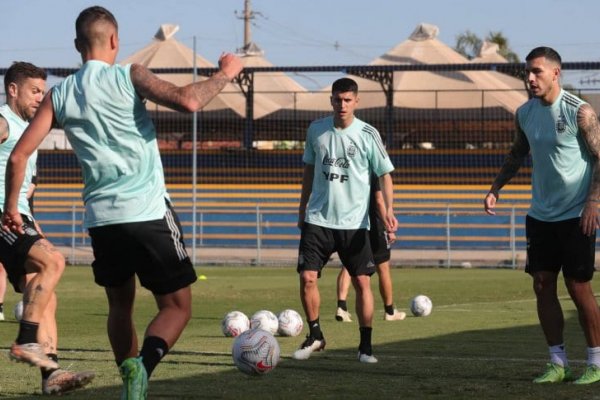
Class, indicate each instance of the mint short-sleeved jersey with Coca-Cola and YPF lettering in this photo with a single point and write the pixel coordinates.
(344, 160)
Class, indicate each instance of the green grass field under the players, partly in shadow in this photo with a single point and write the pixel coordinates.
(482, 341)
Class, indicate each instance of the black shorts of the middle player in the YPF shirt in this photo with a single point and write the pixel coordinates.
(318, 243)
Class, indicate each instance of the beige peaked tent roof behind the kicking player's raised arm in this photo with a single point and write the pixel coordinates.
(165, 52)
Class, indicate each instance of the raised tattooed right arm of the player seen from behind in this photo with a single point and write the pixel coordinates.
(188, 98)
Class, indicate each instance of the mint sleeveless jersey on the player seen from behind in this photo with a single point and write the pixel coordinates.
(115, 142)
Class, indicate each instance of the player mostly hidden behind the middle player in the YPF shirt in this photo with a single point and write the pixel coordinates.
(381, 240)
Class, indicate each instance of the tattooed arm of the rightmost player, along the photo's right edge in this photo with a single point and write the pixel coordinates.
(590, 132)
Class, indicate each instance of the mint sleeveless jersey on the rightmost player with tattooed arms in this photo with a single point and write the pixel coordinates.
(562, 166)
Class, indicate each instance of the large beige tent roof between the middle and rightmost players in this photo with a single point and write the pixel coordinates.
(432, 88)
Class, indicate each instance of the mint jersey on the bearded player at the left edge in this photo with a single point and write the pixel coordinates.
(16, 127)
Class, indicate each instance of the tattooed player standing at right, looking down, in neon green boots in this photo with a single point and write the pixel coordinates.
(562, 134)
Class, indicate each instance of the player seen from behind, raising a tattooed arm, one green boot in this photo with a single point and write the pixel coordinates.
(133, 227)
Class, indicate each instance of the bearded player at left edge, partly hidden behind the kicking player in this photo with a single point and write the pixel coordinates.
(33, 265)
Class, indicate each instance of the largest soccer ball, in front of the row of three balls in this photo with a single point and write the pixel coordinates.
(255, 352)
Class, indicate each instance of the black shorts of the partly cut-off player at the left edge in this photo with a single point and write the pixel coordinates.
(14, 249)
